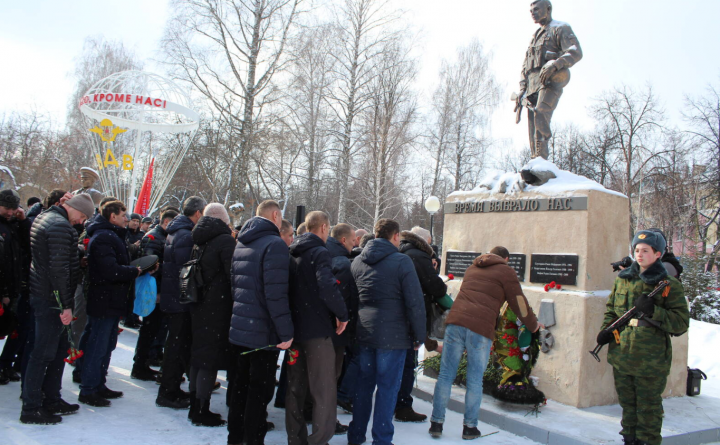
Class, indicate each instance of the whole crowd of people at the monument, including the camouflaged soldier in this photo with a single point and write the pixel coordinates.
(347, 308)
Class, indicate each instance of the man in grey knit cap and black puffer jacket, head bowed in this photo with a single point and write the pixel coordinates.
(54, 273)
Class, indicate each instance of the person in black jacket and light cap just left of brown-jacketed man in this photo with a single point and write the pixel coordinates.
(416, 245)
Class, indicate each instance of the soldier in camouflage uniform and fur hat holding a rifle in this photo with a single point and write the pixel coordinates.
(641, 362)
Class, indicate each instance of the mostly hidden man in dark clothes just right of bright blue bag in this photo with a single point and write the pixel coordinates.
(152, 244)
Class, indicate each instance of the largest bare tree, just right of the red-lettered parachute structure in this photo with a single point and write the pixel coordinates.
(230, 50)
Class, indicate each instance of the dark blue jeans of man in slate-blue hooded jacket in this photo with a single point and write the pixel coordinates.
(381, 368)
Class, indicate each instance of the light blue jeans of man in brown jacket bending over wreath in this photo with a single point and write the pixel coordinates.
(457, 340)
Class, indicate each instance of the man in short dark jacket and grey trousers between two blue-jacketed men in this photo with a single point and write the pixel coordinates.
(318, 312)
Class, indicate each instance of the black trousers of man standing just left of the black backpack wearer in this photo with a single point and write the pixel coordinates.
(177, 353)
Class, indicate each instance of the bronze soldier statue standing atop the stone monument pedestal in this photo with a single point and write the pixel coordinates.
(553, 50)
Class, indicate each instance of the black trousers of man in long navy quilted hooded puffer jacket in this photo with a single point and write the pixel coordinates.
(252, 389)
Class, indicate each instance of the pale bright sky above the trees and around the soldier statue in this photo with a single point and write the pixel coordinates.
(671, 44)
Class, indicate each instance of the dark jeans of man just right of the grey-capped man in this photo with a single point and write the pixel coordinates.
(101, 342)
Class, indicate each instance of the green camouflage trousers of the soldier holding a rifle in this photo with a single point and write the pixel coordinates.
(641, 401)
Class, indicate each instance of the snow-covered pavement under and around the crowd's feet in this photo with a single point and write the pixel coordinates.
(134, 419)
